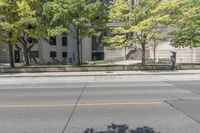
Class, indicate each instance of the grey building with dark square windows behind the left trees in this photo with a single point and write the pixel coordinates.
(58, 50)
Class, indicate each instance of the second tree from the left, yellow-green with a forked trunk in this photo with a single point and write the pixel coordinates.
(31, 26)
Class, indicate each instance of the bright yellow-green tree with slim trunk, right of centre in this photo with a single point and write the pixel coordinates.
(138, 22)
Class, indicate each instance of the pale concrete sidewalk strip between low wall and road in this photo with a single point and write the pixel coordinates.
(100, 73)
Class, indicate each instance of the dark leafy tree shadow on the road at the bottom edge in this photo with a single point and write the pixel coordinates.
(114, 128)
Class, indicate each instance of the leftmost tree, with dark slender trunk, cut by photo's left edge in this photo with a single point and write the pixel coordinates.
(8, 29)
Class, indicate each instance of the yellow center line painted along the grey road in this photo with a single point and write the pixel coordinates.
(81, 104)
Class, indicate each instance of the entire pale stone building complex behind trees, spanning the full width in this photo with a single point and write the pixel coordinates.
(62, 50)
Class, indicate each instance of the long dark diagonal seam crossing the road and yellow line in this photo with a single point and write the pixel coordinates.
(67, 123)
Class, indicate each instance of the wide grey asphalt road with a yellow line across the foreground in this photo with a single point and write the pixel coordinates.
(46, 104)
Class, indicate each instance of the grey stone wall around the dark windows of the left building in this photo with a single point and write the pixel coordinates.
(44, 48)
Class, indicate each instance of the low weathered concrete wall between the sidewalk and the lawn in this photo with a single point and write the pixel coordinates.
(82, 69)
